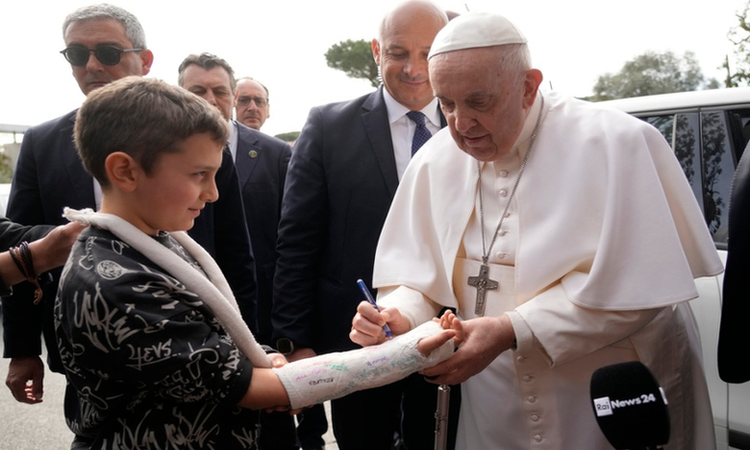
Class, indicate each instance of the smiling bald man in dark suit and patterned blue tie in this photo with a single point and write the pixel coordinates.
(342, 177)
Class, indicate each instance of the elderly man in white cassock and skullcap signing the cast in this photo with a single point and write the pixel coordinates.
(566, 236)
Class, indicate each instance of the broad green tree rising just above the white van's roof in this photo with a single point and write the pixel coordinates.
(652, 73)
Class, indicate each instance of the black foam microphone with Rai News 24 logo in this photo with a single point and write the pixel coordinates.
(630, 406)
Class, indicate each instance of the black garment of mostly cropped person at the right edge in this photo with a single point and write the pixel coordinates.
(734, 333)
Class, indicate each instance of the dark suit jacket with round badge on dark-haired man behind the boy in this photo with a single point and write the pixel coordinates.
(261, 163)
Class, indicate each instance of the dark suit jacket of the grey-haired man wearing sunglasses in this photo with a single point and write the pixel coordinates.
(49, 176)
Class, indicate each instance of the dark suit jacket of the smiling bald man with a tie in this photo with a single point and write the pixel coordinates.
(340, 183)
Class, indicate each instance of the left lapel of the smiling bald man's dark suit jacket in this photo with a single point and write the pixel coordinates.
(374, 118)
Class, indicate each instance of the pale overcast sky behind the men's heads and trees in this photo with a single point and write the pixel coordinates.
(283, 43)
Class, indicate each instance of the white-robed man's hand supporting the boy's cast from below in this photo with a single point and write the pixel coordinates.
(484, 339)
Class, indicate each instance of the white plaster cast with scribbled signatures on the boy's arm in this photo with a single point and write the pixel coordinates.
(314, 380)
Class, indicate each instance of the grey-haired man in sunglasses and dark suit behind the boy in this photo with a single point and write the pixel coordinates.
(103, 43)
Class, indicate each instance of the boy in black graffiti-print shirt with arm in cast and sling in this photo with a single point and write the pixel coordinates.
(151, 338)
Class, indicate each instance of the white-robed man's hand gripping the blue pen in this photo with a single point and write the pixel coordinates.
(367, 325)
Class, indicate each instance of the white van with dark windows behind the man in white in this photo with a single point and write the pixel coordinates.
(708, 131)
